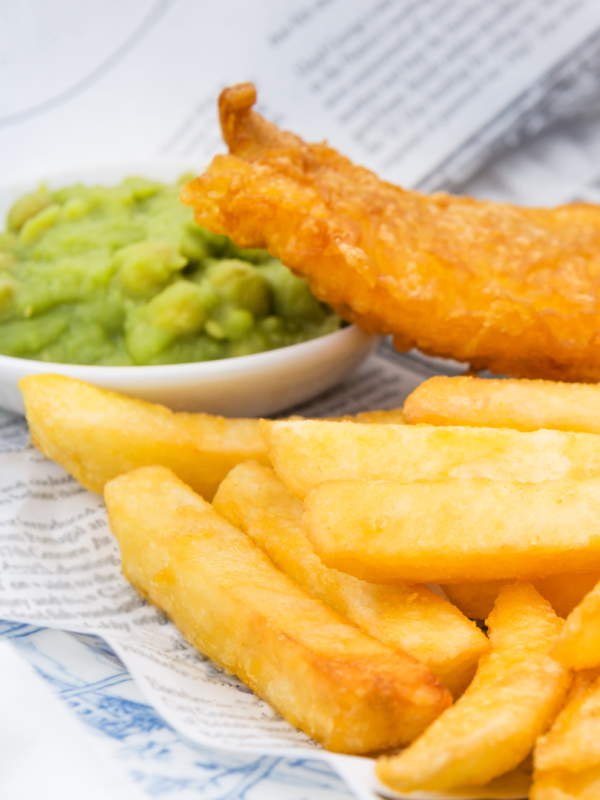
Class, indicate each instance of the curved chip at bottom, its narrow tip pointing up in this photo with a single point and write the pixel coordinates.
(513, 698)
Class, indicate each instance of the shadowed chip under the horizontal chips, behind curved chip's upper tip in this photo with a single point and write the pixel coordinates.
(563, 592)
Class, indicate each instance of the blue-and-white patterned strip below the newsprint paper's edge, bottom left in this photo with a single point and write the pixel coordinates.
(87, 675)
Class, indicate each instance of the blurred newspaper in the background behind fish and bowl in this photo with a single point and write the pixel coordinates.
(425, 92)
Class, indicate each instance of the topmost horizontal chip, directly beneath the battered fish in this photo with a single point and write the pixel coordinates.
(526, 405)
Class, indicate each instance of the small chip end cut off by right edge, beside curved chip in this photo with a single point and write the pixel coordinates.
(578, 646)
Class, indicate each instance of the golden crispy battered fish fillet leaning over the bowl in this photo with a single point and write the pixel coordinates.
(511, 289)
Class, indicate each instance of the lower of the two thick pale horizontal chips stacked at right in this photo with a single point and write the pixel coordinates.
(455, 530)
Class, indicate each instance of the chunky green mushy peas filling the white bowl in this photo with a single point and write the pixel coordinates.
(123, 276)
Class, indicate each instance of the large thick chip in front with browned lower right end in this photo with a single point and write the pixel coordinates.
(348, 691)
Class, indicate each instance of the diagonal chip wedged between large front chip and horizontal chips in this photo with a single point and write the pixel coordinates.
(411, 618)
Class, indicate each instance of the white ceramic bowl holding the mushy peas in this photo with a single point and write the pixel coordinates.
(254, 385)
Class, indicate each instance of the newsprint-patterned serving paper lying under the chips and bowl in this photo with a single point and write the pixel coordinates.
(60, 568)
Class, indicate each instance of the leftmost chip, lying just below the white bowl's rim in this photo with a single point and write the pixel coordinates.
(96, 434)
